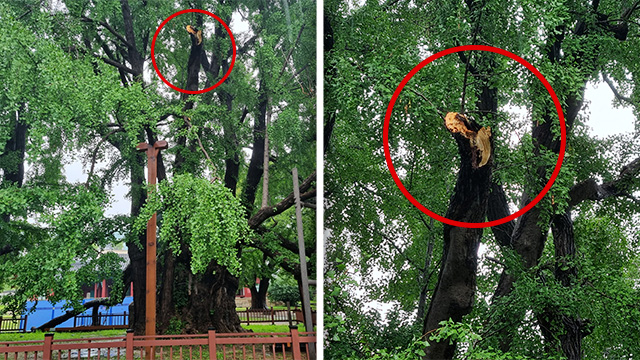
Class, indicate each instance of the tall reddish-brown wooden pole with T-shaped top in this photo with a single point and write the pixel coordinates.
(150, 288)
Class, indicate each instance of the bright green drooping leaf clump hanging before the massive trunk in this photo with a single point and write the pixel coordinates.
(202, 215)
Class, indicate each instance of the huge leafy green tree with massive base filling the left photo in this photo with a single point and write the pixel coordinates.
(78, 85)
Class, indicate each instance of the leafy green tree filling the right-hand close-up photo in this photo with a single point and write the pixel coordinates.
(522, 283)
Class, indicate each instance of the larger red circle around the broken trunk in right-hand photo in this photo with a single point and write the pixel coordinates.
(396, 94)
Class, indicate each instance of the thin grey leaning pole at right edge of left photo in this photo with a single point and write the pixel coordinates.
(306, 301)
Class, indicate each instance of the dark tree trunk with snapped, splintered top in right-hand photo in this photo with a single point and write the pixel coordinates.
(453, 295)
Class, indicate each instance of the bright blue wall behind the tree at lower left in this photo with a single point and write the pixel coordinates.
(45, 311)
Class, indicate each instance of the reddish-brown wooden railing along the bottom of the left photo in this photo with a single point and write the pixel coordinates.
(237, 346)
